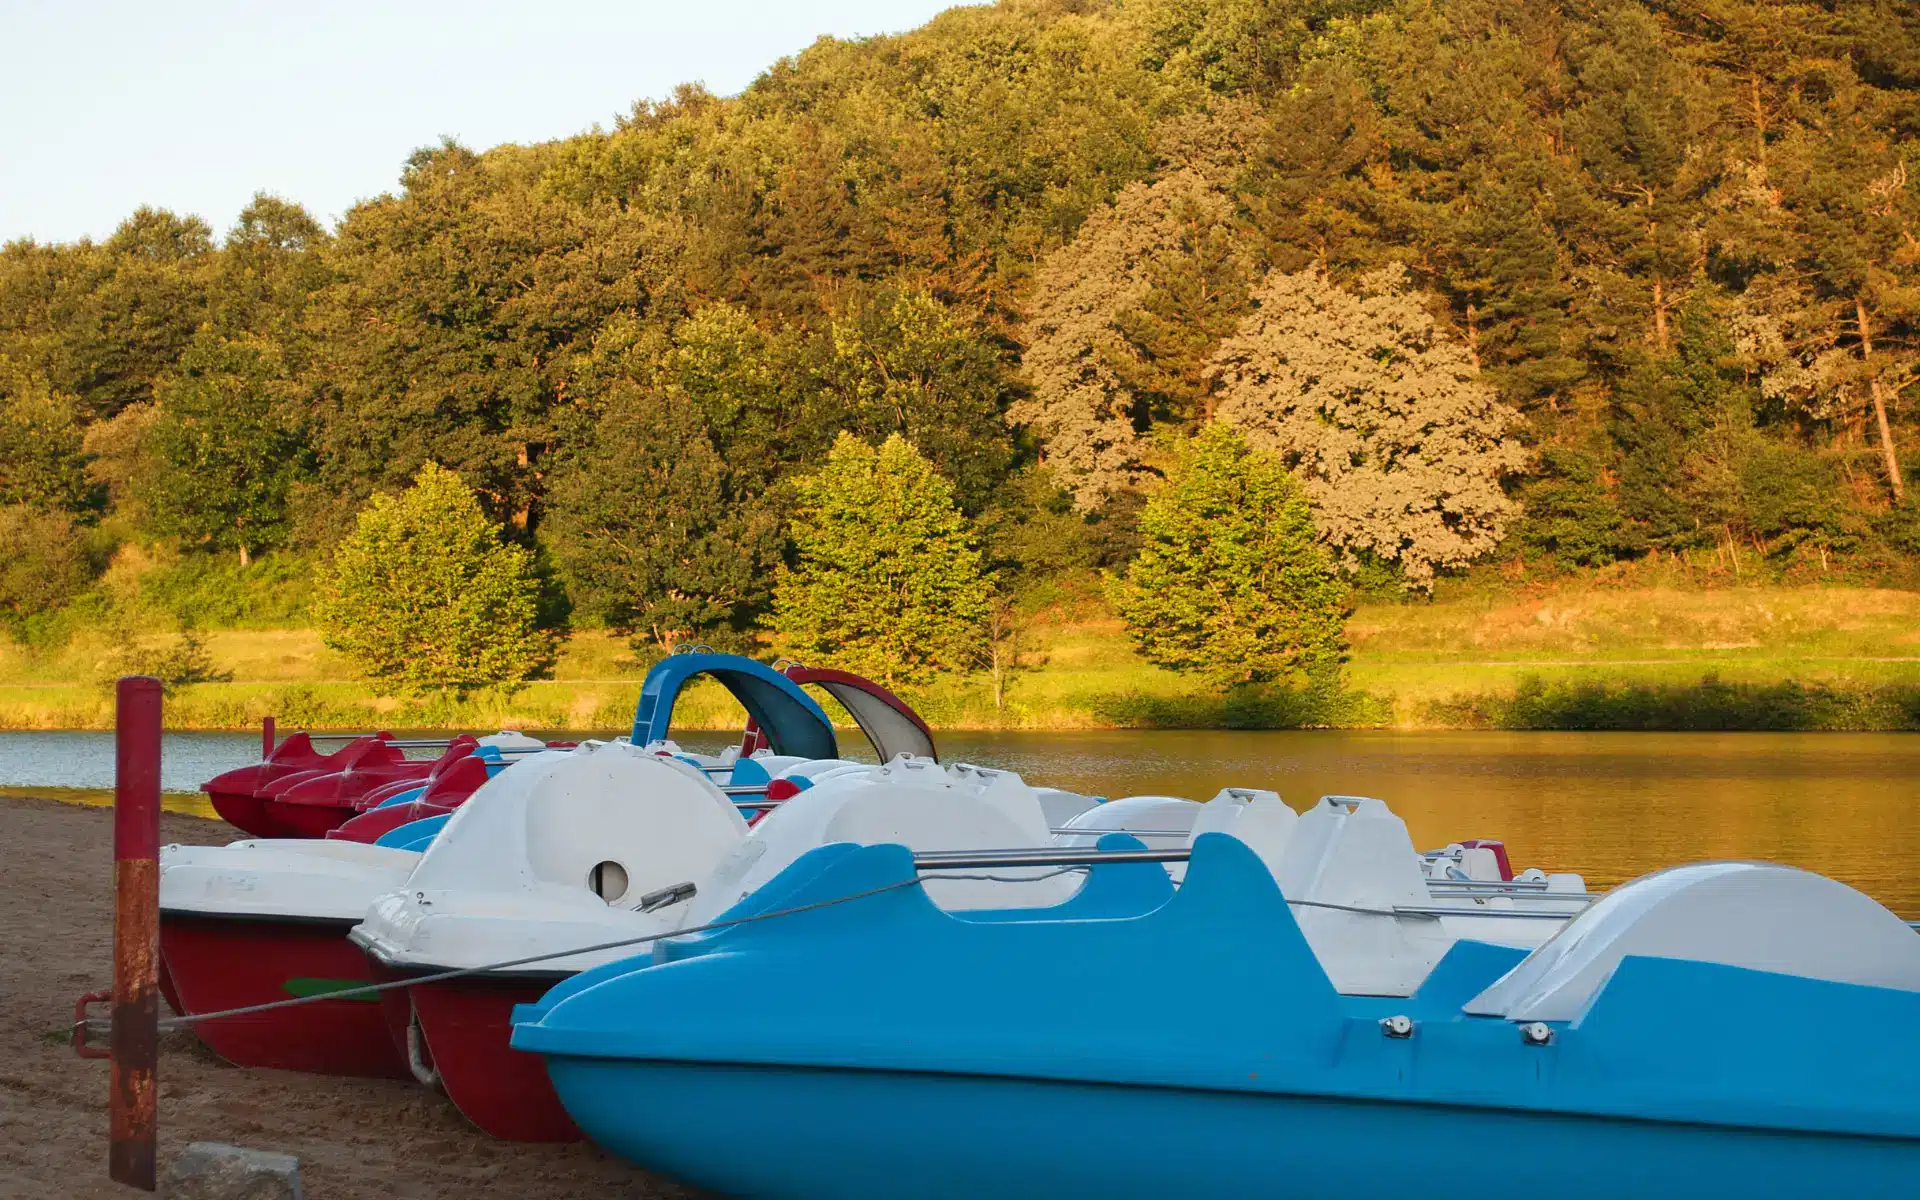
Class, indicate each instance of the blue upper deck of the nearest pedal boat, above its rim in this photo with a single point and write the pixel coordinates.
(1088, 1001)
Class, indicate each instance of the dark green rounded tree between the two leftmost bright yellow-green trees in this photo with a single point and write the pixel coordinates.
(650, 529)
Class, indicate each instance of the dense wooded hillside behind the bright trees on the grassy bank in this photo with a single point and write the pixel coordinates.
(1522, 289)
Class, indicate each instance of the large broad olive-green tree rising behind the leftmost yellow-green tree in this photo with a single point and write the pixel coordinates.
(450, 324)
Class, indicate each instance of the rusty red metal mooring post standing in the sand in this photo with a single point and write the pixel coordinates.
(135, 932)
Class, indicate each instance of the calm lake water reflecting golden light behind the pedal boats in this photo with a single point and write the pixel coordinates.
(1606, 805)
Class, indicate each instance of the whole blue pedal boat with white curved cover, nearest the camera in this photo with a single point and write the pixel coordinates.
(1737, 1030)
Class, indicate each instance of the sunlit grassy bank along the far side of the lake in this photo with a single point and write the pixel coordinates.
(1577, 658)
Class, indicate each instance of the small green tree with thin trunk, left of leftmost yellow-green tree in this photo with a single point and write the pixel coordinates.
(226, 448)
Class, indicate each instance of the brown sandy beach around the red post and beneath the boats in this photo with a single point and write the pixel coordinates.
(356, 1140)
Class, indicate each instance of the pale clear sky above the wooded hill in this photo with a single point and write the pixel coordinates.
(197, 105)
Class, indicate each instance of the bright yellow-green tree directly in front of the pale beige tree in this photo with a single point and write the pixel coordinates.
(1232, 583)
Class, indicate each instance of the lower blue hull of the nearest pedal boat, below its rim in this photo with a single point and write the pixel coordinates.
(884, 1136)
